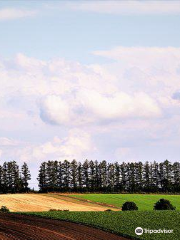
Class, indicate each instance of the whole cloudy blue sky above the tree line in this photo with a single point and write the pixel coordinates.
(89, 80)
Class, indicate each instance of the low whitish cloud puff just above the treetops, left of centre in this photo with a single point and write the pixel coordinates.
(77, 145)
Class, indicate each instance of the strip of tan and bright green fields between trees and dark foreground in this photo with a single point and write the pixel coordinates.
(81, 202)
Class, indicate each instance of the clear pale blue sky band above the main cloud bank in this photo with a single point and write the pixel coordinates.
(58, 32)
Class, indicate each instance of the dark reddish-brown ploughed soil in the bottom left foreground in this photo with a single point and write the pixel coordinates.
(20, 227)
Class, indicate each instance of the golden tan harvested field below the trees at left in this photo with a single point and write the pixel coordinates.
(44, 202)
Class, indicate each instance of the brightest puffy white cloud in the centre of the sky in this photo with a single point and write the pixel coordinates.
(92, 107)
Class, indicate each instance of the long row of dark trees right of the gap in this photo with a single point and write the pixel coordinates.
(94, 176)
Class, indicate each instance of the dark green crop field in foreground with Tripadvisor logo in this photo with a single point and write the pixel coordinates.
(124, 223)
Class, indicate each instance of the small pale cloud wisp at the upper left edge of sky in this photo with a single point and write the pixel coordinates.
(15, 13)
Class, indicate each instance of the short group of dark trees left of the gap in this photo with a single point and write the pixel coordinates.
(13, 179)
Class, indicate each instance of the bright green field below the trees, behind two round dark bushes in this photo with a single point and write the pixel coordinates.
(143, 201)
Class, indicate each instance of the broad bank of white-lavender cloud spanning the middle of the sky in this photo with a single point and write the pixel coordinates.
(138, 85)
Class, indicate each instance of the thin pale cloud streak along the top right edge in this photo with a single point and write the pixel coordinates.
(127, 7)
